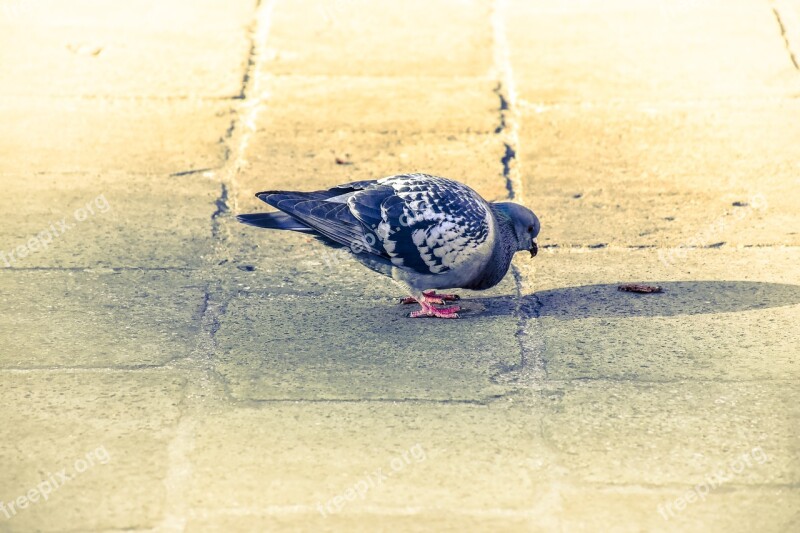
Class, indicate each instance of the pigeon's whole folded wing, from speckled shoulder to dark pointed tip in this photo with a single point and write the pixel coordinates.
(423, 223)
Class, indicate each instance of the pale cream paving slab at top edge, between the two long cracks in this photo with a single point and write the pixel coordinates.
(414, 38)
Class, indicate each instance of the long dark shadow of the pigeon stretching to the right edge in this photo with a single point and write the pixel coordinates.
(678, 298)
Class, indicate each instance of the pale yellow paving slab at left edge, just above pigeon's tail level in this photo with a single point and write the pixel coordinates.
(84, 135)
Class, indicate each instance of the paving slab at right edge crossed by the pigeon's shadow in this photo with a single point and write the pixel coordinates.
(724, 315)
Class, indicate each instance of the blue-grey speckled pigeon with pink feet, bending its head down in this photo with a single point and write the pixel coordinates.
(425, 232)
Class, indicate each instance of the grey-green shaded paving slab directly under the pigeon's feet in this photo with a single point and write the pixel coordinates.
(323, 347)
